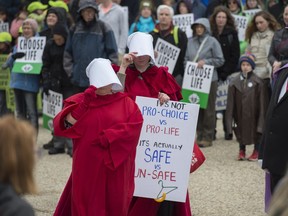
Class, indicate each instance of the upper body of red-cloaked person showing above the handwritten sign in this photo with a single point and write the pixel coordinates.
(142, 76)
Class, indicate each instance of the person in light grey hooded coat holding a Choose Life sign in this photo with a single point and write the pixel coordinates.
(210, 54)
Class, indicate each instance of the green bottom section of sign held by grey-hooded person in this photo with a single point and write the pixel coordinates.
(195, 97)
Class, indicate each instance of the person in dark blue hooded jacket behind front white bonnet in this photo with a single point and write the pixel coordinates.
(90, 38)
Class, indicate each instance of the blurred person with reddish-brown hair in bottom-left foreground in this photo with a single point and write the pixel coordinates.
(17, 160)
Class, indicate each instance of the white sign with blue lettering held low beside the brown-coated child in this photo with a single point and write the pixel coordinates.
(222, 93)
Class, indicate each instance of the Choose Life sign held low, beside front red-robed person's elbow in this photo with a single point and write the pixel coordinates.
(52, 105)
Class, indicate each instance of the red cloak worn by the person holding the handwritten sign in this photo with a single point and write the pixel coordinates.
(149, 84)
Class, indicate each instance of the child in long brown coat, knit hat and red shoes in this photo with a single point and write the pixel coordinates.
(245, 111)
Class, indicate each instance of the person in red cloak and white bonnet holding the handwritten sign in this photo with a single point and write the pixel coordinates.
(143, 78)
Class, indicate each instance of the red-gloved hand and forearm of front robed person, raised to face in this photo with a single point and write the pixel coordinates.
(89, 95)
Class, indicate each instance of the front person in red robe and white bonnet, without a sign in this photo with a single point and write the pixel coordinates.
(105, 126)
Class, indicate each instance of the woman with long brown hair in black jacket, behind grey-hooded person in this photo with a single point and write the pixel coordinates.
(224, 30)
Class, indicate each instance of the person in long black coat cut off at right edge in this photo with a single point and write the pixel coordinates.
(274, 148)
